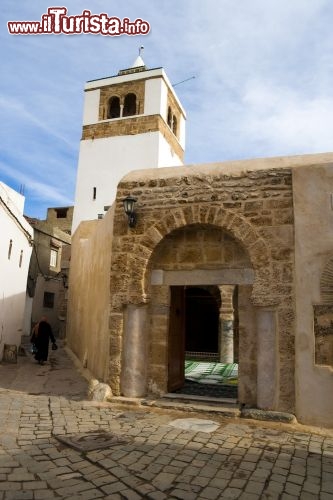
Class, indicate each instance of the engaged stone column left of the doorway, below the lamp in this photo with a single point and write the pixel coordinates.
(134, 358)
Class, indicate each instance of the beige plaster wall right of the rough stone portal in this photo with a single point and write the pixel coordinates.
(313, 188)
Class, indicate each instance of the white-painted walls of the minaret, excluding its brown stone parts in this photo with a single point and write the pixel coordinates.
(104, 161)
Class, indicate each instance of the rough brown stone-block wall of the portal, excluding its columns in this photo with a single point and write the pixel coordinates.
(250, 206)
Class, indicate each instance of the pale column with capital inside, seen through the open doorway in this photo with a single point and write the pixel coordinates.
(226, 327)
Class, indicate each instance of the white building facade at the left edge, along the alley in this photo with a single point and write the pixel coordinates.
(15, 253)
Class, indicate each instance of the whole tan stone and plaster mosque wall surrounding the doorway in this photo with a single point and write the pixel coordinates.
(263, 225)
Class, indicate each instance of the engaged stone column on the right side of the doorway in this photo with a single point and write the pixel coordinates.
(267, 362)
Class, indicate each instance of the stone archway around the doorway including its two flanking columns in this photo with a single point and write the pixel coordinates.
(131, 290)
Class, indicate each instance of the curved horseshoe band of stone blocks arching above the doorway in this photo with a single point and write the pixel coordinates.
(143, 246)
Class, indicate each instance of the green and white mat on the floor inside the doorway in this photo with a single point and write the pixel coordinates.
(211, 373)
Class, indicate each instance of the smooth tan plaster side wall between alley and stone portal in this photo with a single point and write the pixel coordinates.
(89, 295)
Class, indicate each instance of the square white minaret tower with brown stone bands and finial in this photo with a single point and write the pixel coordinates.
(131, 121)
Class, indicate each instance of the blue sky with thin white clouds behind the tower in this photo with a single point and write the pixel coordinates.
(263, 83)
